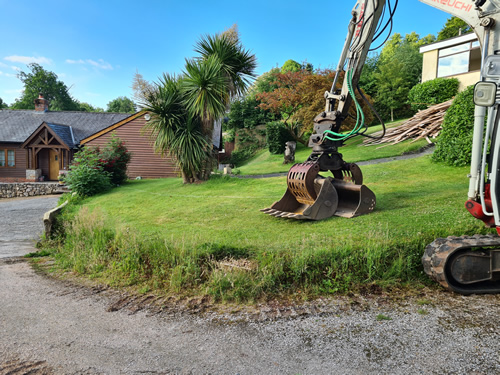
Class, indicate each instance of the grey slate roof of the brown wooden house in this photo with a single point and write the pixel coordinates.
(17, 125)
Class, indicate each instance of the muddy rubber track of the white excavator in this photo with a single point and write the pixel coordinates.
(436, 254)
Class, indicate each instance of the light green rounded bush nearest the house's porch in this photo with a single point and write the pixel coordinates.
(86, 174)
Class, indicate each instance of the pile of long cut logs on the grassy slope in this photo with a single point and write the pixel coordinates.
(425, 124)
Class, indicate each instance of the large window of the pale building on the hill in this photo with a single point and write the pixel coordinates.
(459, 59)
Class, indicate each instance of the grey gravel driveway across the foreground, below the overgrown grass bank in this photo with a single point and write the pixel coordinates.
(54, 327)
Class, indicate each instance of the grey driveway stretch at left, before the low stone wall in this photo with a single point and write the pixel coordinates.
(21, 223)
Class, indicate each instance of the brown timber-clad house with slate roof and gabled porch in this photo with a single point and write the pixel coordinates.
(39, 144)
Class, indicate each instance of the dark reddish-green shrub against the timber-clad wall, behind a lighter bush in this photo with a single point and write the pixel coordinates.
(114, 159)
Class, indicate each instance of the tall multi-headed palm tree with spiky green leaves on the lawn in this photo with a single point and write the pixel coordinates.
(184, 108)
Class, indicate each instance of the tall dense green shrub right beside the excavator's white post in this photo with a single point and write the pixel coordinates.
(454, 145)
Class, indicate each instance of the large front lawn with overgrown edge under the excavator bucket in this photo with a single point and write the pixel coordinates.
(211, 239)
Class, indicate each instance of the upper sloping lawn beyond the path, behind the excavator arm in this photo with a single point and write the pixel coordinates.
(353, 151)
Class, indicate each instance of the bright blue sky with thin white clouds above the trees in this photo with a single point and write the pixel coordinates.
(96, 46)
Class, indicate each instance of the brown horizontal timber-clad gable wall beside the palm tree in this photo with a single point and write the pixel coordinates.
(144, 162)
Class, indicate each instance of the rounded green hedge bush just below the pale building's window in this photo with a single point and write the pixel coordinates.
(432, 92)
